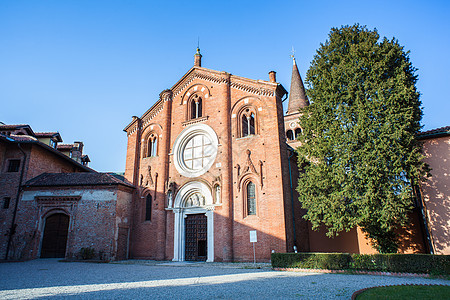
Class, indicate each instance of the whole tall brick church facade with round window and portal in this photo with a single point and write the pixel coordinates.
(211, 164)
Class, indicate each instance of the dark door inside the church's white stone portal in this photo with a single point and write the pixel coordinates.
(196, 237)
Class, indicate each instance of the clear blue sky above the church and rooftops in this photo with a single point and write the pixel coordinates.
(83, 68)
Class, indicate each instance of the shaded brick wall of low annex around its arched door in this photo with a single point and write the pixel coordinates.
(95, 220)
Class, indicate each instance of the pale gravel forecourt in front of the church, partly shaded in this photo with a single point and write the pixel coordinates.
(48, 278)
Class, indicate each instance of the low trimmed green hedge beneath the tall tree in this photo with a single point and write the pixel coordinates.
(401, 263)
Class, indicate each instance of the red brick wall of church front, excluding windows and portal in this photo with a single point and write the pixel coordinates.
(154, 239)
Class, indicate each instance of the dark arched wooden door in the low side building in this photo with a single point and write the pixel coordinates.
(54, 240)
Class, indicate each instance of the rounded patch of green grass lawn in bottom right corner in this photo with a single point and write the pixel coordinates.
(407, 292)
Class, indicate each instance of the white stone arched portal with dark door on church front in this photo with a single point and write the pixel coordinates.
(194, 224)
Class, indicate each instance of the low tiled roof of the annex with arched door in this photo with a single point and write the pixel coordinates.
(75, 179)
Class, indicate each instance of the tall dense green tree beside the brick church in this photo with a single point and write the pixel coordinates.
(359, 156)
